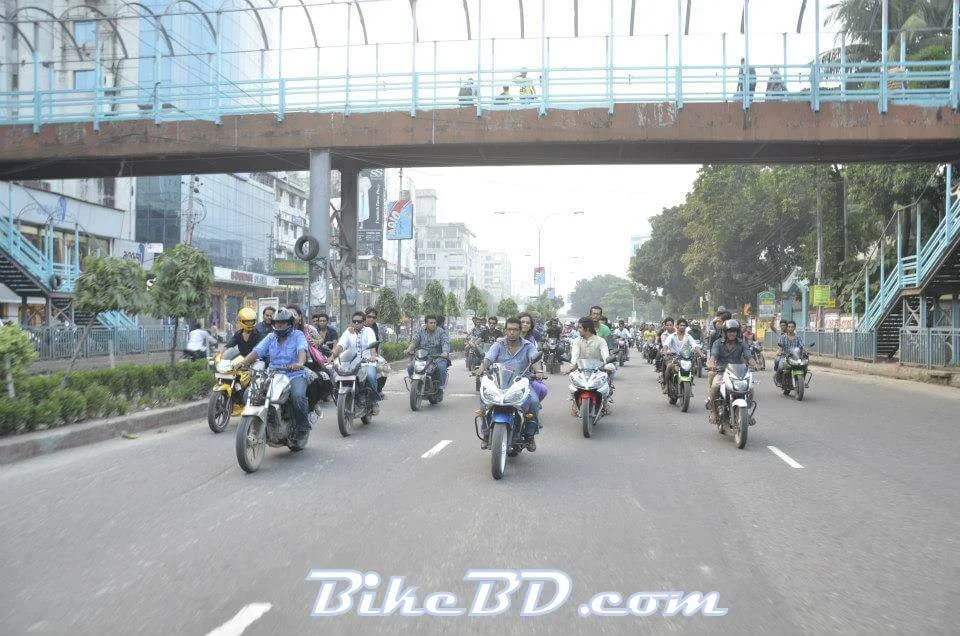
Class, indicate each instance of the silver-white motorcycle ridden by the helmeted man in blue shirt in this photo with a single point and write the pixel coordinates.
(267, 418)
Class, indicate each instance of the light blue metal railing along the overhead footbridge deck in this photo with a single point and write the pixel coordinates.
(925, 83)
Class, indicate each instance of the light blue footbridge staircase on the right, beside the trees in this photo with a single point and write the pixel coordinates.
(931, 272)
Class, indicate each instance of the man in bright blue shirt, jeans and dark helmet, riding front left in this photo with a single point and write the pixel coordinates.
(286, 348)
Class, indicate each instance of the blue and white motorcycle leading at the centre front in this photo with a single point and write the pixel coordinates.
(501, 413)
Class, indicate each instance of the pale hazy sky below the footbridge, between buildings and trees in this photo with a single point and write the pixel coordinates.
(616, 201)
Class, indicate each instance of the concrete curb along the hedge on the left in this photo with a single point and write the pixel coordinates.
(29, 445)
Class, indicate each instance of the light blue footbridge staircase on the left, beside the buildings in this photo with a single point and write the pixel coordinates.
(30, 272)
